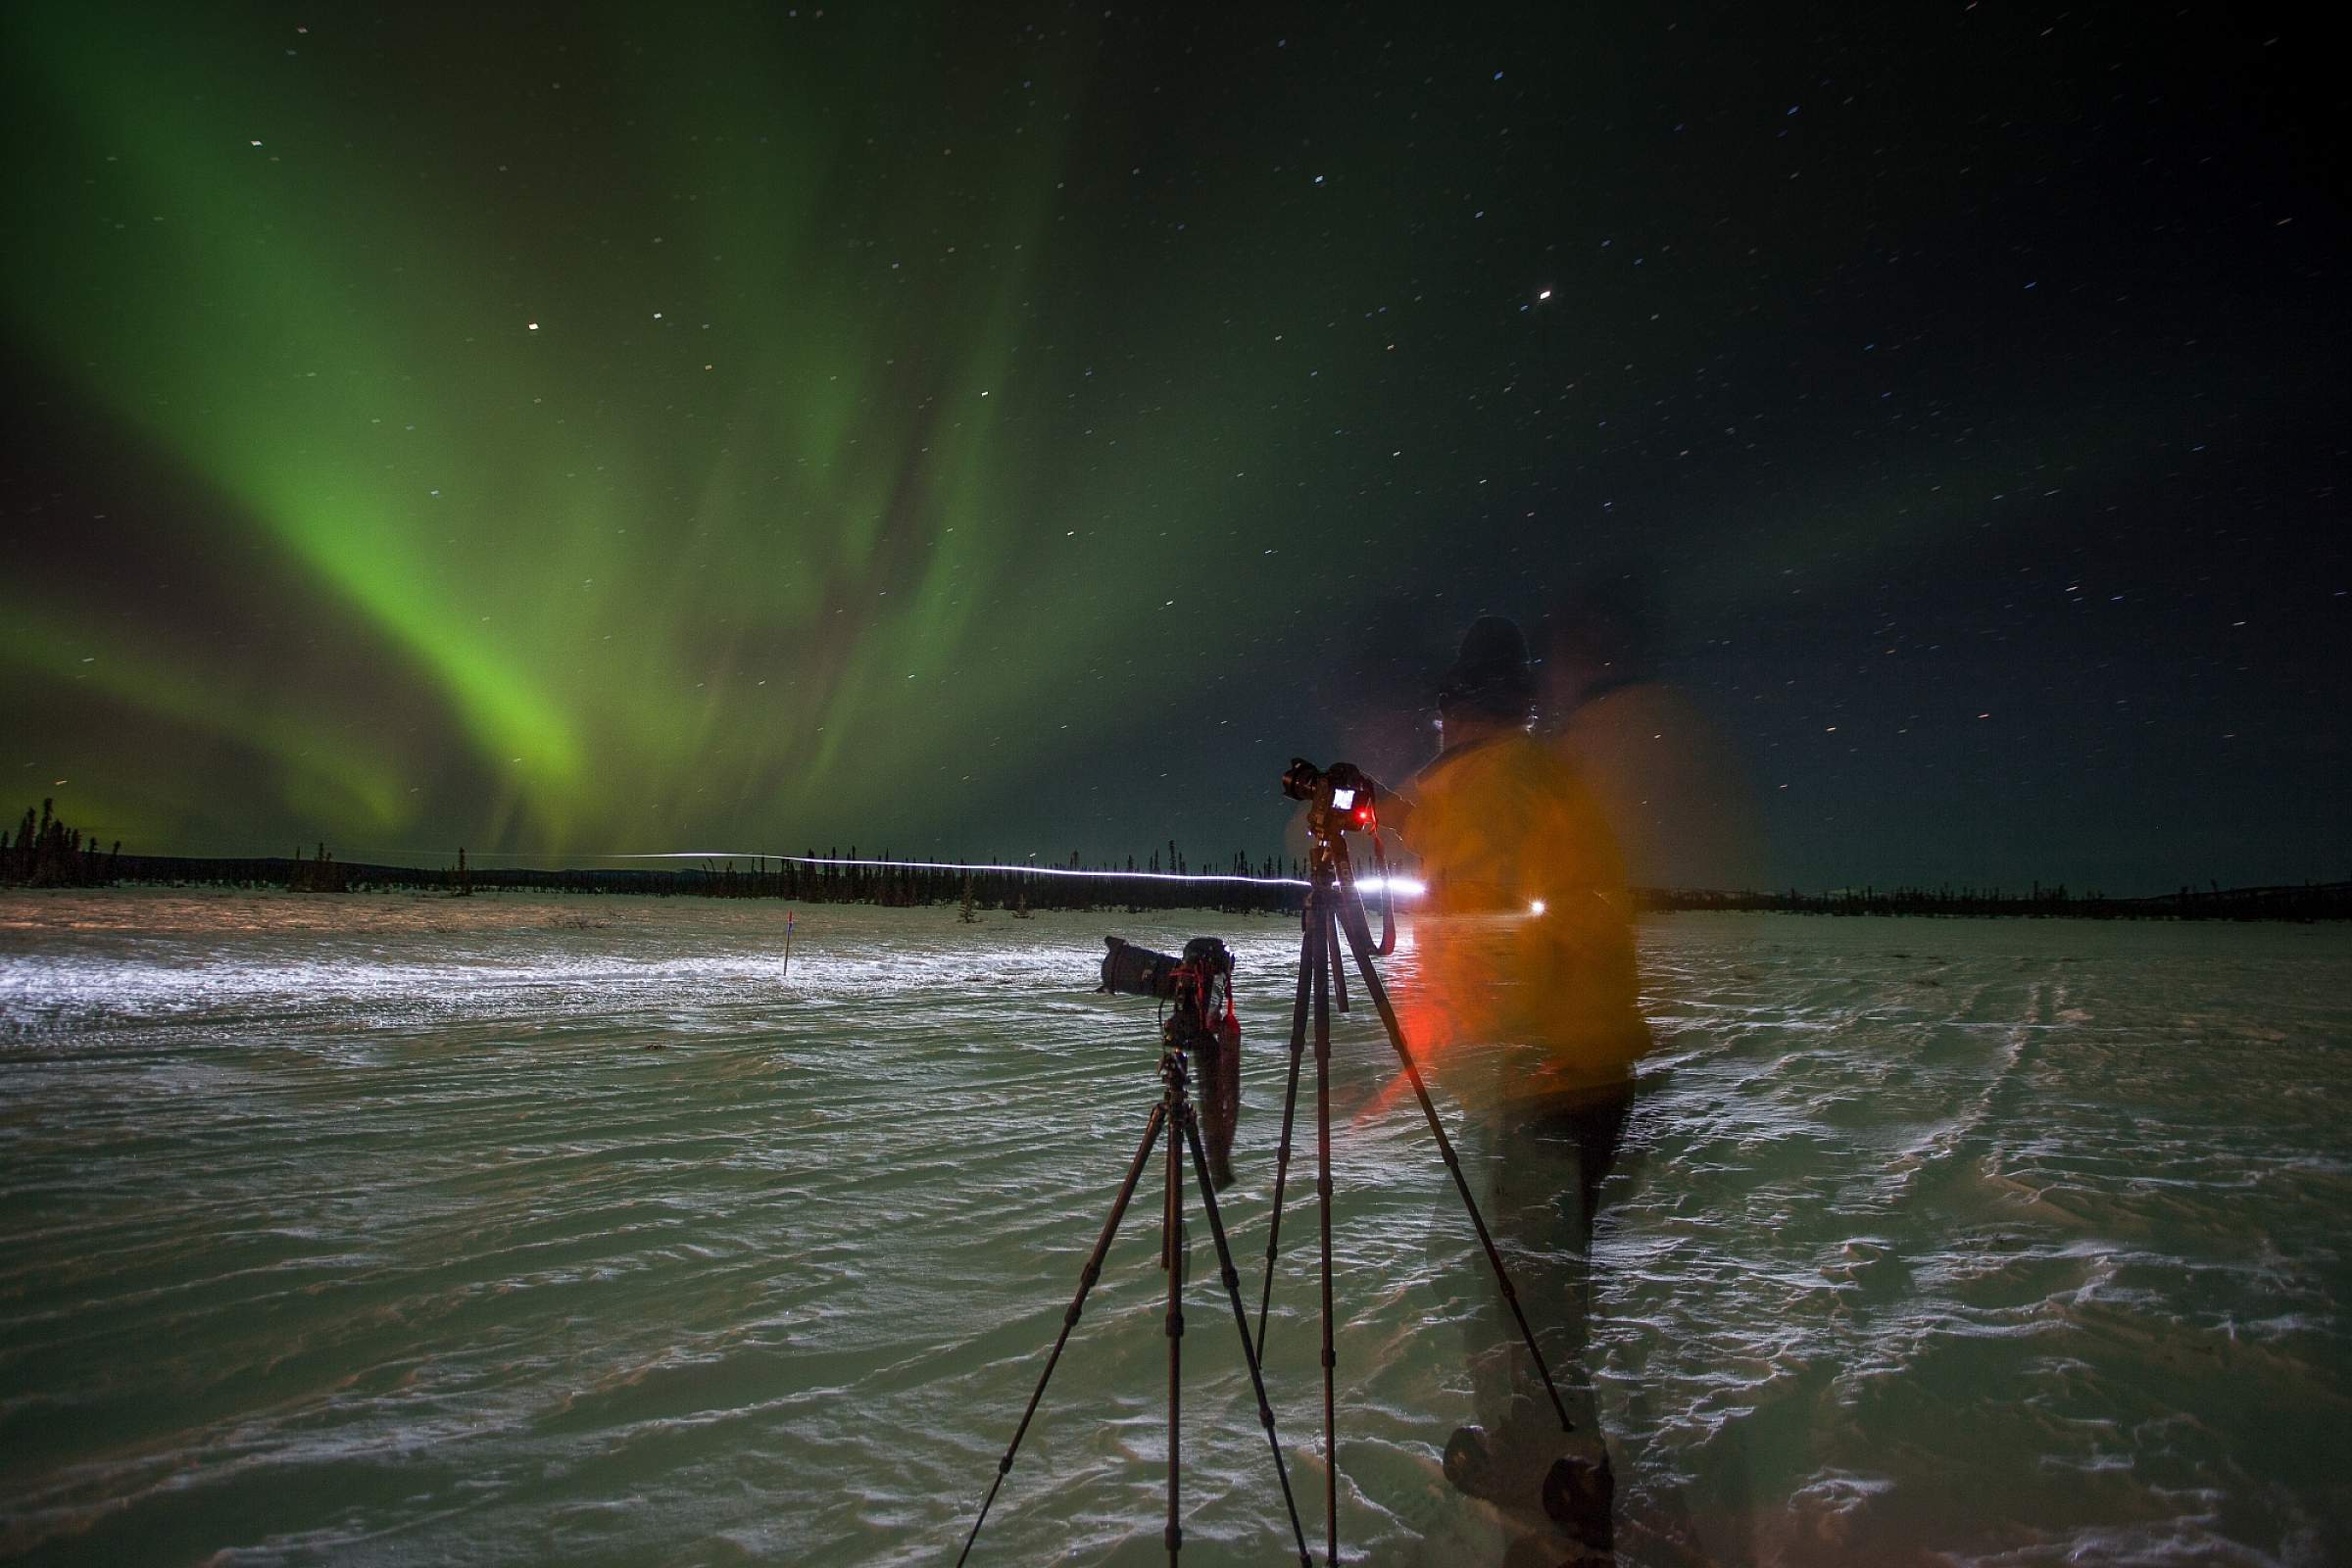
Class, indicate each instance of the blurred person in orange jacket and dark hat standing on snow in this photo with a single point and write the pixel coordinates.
(1525, 1007)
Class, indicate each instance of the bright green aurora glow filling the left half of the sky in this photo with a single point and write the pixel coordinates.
(613, 481)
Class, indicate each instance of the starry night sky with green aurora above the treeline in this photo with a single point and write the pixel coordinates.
(1916, 436)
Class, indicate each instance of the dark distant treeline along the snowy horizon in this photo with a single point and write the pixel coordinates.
(46, 852)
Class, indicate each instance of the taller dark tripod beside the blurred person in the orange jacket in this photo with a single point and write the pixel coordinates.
(1335, 909)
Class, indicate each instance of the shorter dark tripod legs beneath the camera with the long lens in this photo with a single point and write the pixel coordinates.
(1177, 1118)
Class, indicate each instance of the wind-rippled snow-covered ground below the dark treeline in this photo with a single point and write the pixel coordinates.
(410, 1231)
